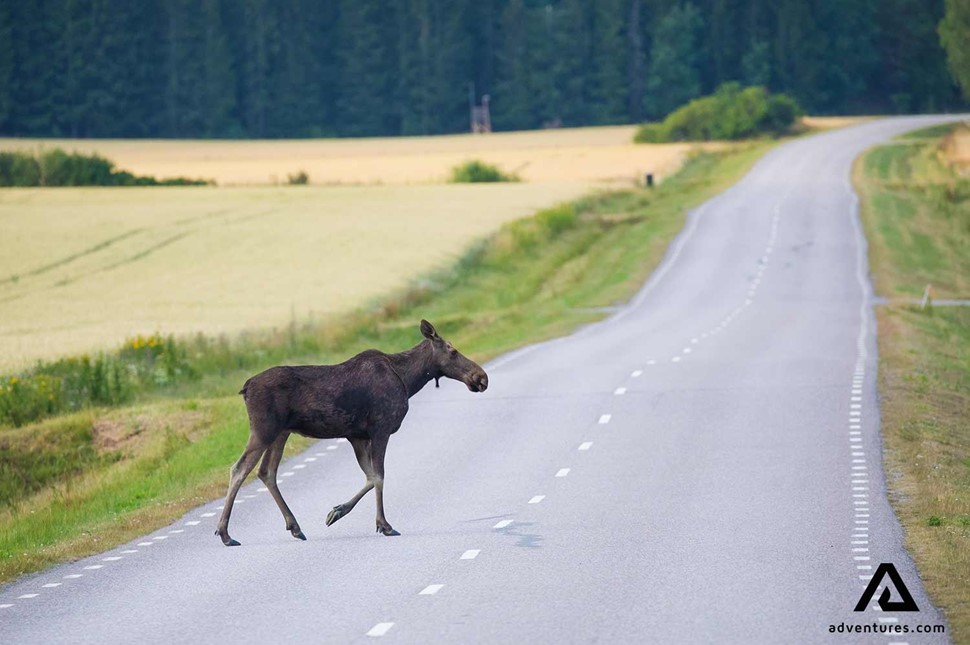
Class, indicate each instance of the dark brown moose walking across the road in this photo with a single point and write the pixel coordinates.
(363, 399)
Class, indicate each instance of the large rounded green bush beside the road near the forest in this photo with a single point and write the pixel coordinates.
(729, 113)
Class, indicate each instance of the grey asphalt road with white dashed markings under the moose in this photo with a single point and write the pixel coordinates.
(703, 466)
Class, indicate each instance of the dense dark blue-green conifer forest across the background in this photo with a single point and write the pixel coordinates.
(275, 68)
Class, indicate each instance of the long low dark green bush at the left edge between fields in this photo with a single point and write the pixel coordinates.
(58, 168)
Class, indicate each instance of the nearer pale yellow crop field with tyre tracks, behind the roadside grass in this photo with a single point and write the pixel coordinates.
(83, 268)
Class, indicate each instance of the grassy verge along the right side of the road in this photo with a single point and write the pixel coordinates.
(916, 211)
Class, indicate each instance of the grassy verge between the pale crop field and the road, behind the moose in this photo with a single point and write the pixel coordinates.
(132, 469)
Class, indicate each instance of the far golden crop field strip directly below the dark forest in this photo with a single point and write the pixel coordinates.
(605, 154)
